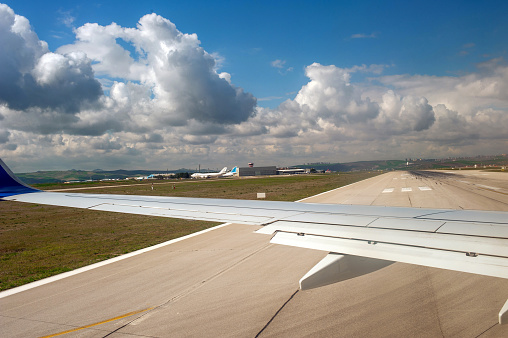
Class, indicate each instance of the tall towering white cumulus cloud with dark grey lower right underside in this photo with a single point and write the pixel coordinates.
(181, 76)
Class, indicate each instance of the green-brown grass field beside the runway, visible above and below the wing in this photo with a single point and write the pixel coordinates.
(38, 241)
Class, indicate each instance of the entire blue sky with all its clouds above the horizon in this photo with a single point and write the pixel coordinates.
(182, 84)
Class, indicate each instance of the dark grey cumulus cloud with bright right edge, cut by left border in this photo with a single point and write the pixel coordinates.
(31, 76)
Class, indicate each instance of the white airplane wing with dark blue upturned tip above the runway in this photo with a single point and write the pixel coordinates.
(360, 239)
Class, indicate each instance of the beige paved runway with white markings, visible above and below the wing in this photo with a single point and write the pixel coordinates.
(232, 282)
